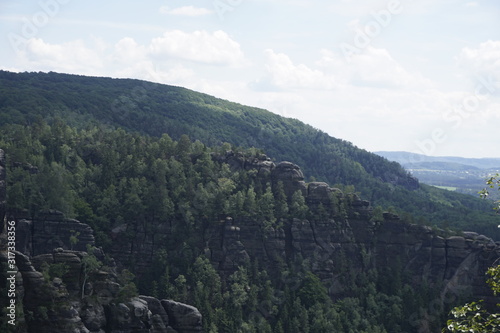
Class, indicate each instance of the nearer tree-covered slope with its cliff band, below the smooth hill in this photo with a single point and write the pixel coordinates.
(245, 240)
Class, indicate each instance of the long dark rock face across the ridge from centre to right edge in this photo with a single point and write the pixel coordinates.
(354, 242)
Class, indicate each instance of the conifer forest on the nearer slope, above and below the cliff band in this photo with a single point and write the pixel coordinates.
(108, 178)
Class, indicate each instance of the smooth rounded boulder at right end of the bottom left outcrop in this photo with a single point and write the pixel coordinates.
(182, 317)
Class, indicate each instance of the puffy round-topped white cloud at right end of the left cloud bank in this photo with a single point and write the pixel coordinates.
(215, 48)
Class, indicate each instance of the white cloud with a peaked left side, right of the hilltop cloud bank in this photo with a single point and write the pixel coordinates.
(282, 73)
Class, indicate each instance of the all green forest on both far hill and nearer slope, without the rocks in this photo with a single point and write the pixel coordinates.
(129, 157)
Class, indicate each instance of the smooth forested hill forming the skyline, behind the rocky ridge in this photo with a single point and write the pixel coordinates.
(154, 109)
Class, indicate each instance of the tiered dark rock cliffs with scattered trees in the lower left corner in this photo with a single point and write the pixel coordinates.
(69, 301)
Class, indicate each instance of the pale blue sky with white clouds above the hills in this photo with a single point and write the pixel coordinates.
(395, 75)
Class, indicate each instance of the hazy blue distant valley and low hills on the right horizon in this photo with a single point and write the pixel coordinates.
(460, 174)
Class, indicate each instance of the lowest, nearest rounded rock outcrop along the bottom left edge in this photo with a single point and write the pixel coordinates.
(57, 307)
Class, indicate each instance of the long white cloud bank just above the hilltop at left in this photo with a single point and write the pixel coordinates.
(163, 59)
